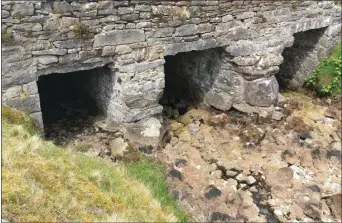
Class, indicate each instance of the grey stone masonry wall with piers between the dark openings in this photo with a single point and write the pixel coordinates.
(132, 37)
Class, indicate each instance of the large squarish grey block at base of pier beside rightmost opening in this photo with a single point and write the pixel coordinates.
(262, 92)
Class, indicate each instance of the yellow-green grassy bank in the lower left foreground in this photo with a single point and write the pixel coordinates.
(45, 183)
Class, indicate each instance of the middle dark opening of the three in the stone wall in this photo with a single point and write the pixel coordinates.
(188, 76)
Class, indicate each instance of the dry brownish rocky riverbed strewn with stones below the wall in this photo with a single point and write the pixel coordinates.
(279, 167)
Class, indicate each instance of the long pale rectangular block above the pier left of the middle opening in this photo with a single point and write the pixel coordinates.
(118, 37)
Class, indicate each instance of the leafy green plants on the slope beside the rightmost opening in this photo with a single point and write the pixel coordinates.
(326, 78)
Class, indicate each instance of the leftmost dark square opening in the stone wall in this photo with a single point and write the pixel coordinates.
(71, 101)
